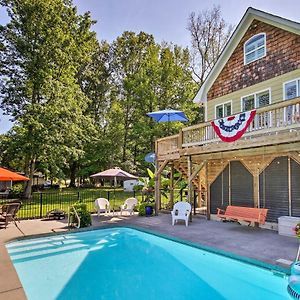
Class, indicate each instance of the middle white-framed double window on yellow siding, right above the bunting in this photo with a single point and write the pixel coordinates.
(256, 100)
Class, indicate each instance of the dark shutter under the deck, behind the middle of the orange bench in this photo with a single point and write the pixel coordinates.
(241, 183)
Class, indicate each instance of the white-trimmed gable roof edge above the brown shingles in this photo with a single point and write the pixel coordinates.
(250, 15)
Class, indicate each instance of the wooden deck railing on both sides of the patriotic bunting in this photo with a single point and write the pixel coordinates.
(272, 118)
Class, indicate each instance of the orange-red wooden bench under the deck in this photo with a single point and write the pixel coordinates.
(241, 213)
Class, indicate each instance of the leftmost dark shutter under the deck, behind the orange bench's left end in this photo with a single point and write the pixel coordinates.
(219, 191)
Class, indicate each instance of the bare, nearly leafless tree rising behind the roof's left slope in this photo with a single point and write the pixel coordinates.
(209, 34)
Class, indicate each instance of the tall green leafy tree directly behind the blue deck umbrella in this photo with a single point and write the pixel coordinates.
(147, 77)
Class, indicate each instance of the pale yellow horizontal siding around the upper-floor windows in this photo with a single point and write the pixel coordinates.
(275, 85)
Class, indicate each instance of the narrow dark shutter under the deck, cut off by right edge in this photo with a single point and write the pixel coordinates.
(295, 188)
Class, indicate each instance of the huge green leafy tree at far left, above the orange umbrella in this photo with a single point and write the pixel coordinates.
(42, 50)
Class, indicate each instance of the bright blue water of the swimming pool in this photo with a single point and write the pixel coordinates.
(123, 263)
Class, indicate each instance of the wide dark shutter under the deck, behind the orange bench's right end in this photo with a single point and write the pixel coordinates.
(273, 189)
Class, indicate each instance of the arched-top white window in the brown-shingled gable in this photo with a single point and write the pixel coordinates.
(255, 48)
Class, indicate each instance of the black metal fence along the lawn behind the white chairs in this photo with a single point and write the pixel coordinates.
(43, 202)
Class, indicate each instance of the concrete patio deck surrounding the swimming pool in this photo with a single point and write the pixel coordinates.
(255, 243)
